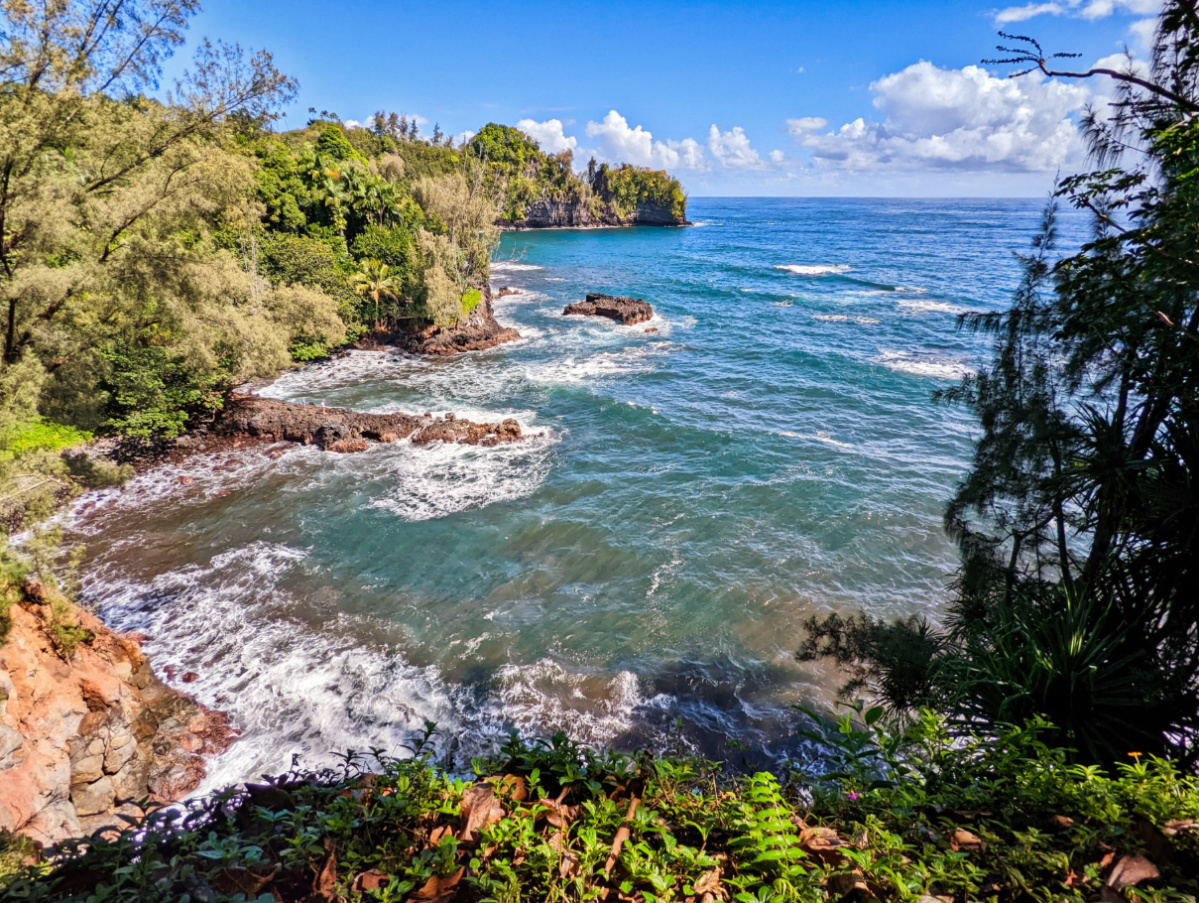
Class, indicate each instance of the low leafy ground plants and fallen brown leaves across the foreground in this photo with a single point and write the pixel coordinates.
(901, 816)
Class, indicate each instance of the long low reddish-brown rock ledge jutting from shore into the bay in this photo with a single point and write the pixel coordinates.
(345, 431)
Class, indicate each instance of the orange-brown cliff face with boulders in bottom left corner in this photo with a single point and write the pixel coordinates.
(85, 741)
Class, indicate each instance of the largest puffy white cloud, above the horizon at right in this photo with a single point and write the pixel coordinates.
(955, 119)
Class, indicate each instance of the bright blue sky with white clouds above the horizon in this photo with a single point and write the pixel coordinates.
(767, 99)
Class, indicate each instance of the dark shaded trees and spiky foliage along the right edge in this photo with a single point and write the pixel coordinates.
(1079, 521)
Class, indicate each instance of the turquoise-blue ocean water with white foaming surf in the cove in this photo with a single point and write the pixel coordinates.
(691, 495)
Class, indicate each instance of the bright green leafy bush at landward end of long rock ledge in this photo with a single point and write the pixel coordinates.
(153, 394)
